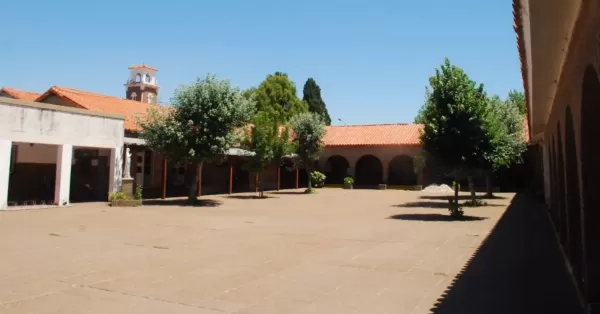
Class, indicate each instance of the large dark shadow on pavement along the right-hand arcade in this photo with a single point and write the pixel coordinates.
(517, 269)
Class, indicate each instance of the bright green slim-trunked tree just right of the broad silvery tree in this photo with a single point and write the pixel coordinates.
(269, 142)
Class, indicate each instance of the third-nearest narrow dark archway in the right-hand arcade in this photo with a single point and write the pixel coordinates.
(563, 216)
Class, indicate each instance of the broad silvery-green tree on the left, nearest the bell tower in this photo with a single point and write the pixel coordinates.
(200, 126)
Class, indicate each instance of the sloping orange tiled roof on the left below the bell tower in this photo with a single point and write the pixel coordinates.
(102, 103)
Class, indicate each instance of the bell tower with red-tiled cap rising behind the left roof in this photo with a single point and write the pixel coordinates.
(142, 85)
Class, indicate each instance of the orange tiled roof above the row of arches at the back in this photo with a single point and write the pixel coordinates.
(373, 135)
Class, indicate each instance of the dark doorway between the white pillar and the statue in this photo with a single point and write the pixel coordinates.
(90, 175)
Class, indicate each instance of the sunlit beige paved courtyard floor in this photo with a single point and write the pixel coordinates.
(338, 251)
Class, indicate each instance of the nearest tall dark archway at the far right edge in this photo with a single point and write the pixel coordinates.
(590, 171)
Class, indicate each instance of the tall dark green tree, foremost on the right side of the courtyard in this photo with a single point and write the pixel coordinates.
(454, 119)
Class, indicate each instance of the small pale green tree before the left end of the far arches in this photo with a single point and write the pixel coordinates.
(308, 131)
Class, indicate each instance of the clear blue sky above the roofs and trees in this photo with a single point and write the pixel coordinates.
(372, 58)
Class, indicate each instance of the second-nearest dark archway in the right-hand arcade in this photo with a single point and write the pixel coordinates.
(573, 205)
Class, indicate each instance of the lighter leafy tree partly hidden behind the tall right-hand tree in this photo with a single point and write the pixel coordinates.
(505, 127)
